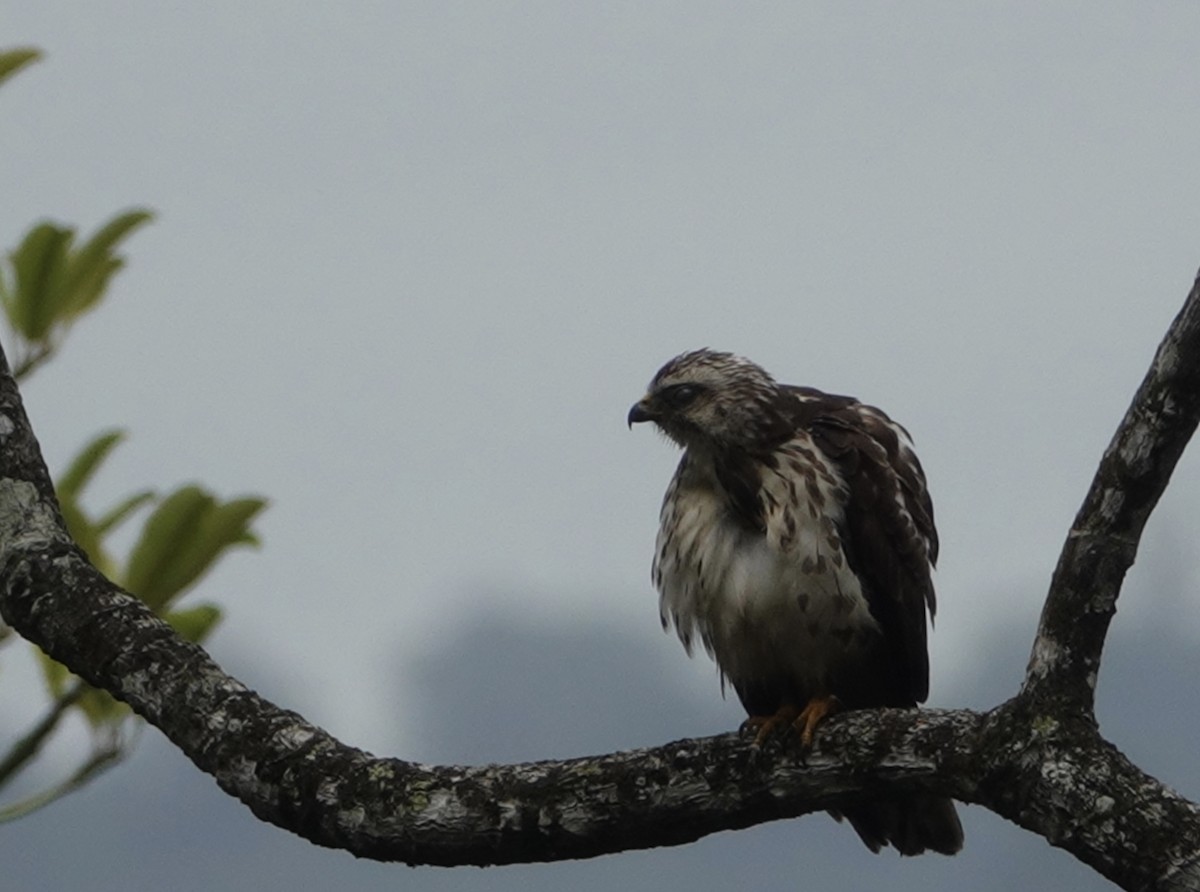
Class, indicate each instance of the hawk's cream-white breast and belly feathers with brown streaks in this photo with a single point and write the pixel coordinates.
(764, 606)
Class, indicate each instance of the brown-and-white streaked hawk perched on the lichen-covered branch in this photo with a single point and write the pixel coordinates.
(796, 543)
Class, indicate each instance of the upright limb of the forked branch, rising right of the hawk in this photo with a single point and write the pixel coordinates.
(1103, 541)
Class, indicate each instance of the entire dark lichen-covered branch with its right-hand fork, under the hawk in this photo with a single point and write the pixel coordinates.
(1037, 759)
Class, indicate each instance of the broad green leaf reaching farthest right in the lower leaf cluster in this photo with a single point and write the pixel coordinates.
(183, 540)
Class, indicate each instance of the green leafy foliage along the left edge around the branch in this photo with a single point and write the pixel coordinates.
(47, 283)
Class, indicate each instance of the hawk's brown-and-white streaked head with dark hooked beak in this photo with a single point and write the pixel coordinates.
(709, 399)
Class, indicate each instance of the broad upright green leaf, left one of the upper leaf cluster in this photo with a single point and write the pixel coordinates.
(40, 266)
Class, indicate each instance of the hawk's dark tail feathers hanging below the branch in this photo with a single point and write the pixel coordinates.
(913, 824)
